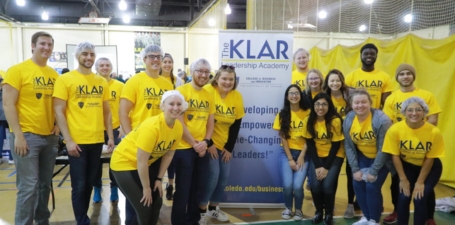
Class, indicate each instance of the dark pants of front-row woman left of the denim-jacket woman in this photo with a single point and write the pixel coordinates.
(323, 191)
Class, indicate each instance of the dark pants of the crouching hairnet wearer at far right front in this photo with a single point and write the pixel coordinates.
(420, 205)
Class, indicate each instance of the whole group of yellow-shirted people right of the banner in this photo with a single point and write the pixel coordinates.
(340, 117)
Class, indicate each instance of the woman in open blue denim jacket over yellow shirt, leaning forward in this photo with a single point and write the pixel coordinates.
(364, 129)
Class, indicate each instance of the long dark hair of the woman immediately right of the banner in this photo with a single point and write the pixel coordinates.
(285, 113)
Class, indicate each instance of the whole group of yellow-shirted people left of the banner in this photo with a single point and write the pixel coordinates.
(194, 124)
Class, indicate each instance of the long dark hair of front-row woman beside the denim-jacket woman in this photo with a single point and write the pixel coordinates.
(328, 117)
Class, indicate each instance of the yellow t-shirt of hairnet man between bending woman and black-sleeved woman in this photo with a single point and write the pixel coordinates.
(200, 106)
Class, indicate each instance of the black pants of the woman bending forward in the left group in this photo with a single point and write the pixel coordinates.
(131, 186)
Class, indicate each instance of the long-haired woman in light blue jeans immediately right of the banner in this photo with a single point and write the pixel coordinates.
(293, 164)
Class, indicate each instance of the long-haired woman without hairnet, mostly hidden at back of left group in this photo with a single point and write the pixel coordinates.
(167, 72)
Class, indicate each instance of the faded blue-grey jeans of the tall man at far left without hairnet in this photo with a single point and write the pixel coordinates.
(34, 177)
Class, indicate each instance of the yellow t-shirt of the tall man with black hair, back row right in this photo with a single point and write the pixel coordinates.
(375, 82)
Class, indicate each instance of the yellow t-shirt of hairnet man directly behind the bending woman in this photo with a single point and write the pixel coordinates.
(145, 94)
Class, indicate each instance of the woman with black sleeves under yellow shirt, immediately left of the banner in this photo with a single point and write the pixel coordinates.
(228, 117)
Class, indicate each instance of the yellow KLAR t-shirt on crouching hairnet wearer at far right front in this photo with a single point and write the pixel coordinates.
(414, 145)
